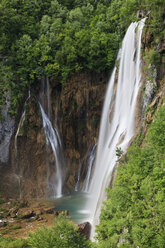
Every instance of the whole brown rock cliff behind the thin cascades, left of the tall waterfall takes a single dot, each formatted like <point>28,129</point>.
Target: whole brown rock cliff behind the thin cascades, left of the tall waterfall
<point>74,109</point>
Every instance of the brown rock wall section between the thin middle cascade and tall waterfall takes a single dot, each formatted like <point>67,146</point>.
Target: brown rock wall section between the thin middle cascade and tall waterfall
<point>81,104</point>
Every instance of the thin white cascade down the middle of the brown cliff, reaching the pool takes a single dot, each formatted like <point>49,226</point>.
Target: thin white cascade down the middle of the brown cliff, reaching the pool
<point>53,138</point>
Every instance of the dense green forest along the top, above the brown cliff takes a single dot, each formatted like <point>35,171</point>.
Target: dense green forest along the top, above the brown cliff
<point>58,38</point>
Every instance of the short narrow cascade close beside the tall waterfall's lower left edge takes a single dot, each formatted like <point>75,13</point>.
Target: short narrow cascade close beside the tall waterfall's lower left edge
<point>90,165</point>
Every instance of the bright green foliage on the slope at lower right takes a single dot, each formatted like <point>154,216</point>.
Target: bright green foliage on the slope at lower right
<point>134,213</point>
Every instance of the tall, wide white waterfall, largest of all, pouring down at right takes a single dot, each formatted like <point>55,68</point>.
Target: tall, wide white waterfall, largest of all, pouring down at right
<point>118,116</point>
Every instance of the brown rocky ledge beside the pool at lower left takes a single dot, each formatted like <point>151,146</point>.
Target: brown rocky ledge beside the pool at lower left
<point>20,217</point>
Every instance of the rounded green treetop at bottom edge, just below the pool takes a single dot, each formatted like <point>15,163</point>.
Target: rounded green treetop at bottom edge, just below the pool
<point>62,235</point>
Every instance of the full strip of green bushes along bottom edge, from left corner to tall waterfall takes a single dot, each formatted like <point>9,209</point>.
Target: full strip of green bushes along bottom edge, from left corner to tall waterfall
<point>63,234</point>
